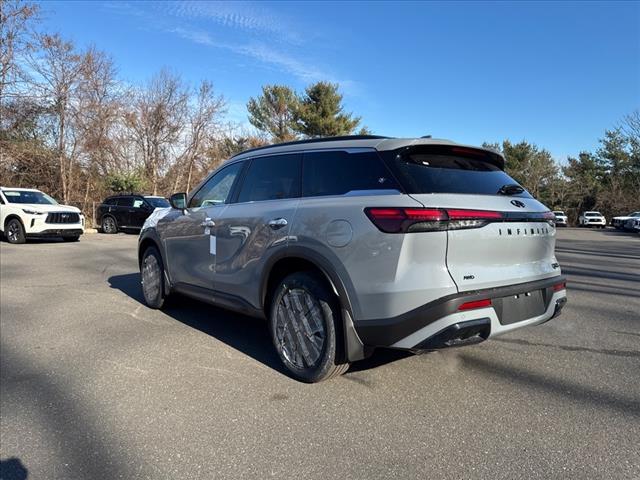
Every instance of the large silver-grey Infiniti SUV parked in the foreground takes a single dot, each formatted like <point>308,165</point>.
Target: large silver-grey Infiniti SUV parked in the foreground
<point>352,243</point>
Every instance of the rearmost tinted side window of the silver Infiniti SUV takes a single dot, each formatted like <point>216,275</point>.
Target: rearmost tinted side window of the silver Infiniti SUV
<point>337,173</point>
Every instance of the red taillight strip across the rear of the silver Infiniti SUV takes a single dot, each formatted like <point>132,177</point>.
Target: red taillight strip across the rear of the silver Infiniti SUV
<point>407,220</point>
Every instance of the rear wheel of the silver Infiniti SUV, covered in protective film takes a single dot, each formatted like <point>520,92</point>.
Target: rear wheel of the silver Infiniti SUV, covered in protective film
<point>306,328</point>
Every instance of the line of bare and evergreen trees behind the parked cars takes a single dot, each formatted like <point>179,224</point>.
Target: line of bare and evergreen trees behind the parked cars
<point>71,127</point>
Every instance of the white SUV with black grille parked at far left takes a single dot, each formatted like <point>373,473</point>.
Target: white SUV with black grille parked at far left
<point>27,212</point>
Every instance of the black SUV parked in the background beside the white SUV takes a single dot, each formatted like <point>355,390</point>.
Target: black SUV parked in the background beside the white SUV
<point>122,212</point>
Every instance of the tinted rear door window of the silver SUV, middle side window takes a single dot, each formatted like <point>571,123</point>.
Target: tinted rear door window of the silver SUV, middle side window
<point>271,178</point>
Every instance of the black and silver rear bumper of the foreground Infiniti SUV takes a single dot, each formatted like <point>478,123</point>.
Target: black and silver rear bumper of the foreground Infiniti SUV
<point>440,324</point>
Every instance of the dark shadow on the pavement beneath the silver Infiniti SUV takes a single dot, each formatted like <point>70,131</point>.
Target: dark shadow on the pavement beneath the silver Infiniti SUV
<point>246,334</point>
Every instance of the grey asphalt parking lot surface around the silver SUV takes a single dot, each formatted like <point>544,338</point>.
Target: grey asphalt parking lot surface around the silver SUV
<point>96,386</point>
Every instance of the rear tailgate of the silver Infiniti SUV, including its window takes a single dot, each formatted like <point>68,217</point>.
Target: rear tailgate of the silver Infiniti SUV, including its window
<point>512,239</point>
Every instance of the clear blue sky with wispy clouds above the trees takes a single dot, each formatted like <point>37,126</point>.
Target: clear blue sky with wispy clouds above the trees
<point>557,74</point>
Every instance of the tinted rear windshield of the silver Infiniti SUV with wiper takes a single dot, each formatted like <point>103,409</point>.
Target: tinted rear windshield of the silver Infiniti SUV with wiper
<point>445,169</point>
